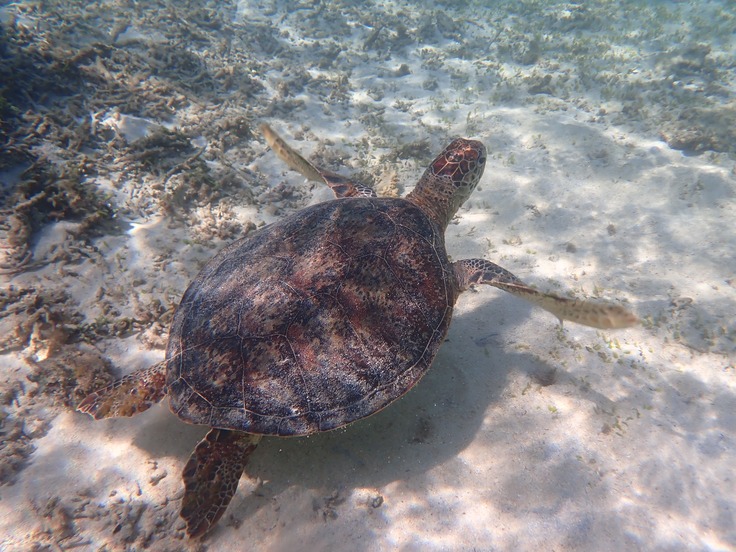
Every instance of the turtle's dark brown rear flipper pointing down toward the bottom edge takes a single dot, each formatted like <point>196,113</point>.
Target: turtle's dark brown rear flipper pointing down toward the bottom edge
<point>211,477</point>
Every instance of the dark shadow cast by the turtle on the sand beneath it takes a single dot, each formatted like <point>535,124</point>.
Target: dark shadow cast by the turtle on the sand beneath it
<point>427,427</point>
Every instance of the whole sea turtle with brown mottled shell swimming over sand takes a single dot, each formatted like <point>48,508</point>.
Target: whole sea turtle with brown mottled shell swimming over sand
<point>318,320</point>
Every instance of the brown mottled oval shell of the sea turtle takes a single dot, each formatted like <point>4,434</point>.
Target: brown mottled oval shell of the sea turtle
<point>313,322</point>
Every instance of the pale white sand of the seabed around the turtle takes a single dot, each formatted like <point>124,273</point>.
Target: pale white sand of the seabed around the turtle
<point>522,436</point>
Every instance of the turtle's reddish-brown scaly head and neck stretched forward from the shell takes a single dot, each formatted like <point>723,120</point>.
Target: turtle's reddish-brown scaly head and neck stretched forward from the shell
<point>449,180</point>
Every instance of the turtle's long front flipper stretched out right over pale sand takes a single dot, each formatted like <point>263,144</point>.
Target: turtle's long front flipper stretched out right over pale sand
<point>589,313</point>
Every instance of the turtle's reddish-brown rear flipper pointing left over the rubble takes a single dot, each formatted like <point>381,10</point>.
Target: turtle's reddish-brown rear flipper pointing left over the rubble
<point>128,396</point>
